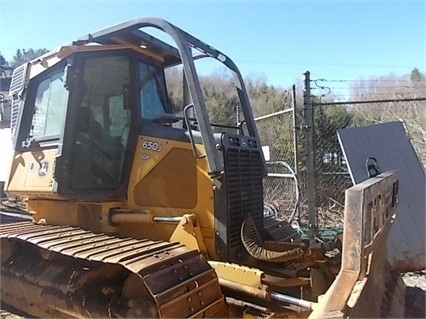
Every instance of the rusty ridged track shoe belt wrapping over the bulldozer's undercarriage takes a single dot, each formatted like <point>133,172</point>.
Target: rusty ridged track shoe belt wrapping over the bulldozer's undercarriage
<point>180,280</point>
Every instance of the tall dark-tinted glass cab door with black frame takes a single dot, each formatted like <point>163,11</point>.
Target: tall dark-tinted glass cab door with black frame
<point>97,142</point>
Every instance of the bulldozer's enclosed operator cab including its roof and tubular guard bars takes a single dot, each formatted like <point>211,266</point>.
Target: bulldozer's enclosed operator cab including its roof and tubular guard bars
<point>80,108</point>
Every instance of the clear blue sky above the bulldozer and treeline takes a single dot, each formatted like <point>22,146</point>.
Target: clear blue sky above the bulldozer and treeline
<point>277,40</point>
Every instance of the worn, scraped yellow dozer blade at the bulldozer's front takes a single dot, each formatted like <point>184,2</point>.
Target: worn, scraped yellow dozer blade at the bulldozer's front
<point>370,208</point>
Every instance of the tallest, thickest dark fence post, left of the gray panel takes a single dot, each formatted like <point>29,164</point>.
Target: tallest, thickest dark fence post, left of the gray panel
<point>310,157</point>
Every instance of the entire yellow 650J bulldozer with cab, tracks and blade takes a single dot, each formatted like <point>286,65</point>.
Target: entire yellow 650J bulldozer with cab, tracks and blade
<point>139,211</point>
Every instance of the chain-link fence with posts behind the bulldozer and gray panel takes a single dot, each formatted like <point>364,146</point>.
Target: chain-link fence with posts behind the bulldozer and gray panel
<point>292,189</point>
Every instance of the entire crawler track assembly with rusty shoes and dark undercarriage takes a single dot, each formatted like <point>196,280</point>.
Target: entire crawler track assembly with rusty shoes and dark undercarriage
<point>58,271</point>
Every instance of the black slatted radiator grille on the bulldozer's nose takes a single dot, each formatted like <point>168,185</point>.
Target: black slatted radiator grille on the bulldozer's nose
<point>243,171</point>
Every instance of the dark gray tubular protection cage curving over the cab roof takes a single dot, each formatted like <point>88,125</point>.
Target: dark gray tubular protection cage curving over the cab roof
<point>128,32</point>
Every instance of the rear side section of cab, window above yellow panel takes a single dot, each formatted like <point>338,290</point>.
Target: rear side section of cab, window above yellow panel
<point>39,133</point>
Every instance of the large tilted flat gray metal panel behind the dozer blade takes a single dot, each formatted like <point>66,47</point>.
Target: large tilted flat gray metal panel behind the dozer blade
<point>389,144</point>
